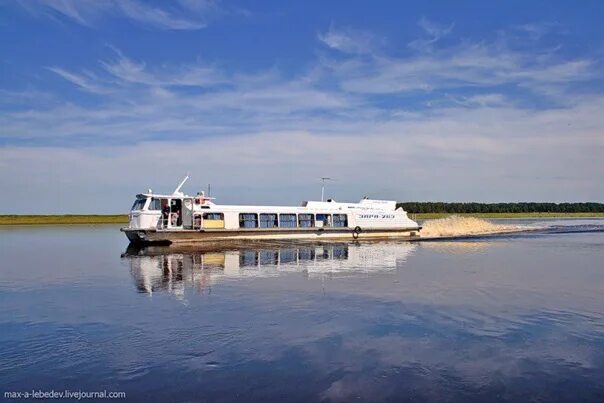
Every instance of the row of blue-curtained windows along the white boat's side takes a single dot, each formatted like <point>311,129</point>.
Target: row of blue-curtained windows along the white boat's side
<point>271,220</point>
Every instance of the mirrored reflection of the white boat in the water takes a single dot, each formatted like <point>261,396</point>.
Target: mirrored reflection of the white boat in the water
<point>166,268</point>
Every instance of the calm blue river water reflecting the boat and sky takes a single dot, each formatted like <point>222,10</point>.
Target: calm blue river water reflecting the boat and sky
<point>499,318</point>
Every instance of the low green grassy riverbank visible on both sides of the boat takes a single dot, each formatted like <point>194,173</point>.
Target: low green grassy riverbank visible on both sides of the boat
<point>123,218</point>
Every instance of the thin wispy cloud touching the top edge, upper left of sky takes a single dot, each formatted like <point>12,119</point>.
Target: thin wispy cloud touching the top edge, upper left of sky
<point>178,15</point>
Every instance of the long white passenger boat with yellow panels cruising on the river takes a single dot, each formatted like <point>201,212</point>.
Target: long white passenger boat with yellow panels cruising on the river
<point>179,218</point>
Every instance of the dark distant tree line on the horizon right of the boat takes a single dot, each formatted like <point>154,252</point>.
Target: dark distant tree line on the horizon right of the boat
<point>528,207</point>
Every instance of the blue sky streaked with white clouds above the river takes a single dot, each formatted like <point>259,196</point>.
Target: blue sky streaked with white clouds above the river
<point>496,101</point>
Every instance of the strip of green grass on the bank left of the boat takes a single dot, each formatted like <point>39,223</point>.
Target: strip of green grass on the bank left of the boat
<point>63,219</point>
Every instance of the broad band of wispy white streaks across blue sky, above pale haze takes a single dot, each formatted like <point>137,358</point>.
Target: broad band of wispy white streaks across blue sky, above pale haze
<point>337,94</point>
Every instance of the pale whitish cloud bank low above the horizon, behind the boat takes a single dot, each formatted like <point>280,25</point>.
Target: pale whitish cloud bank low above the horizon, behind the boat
<point>460,153</point>
